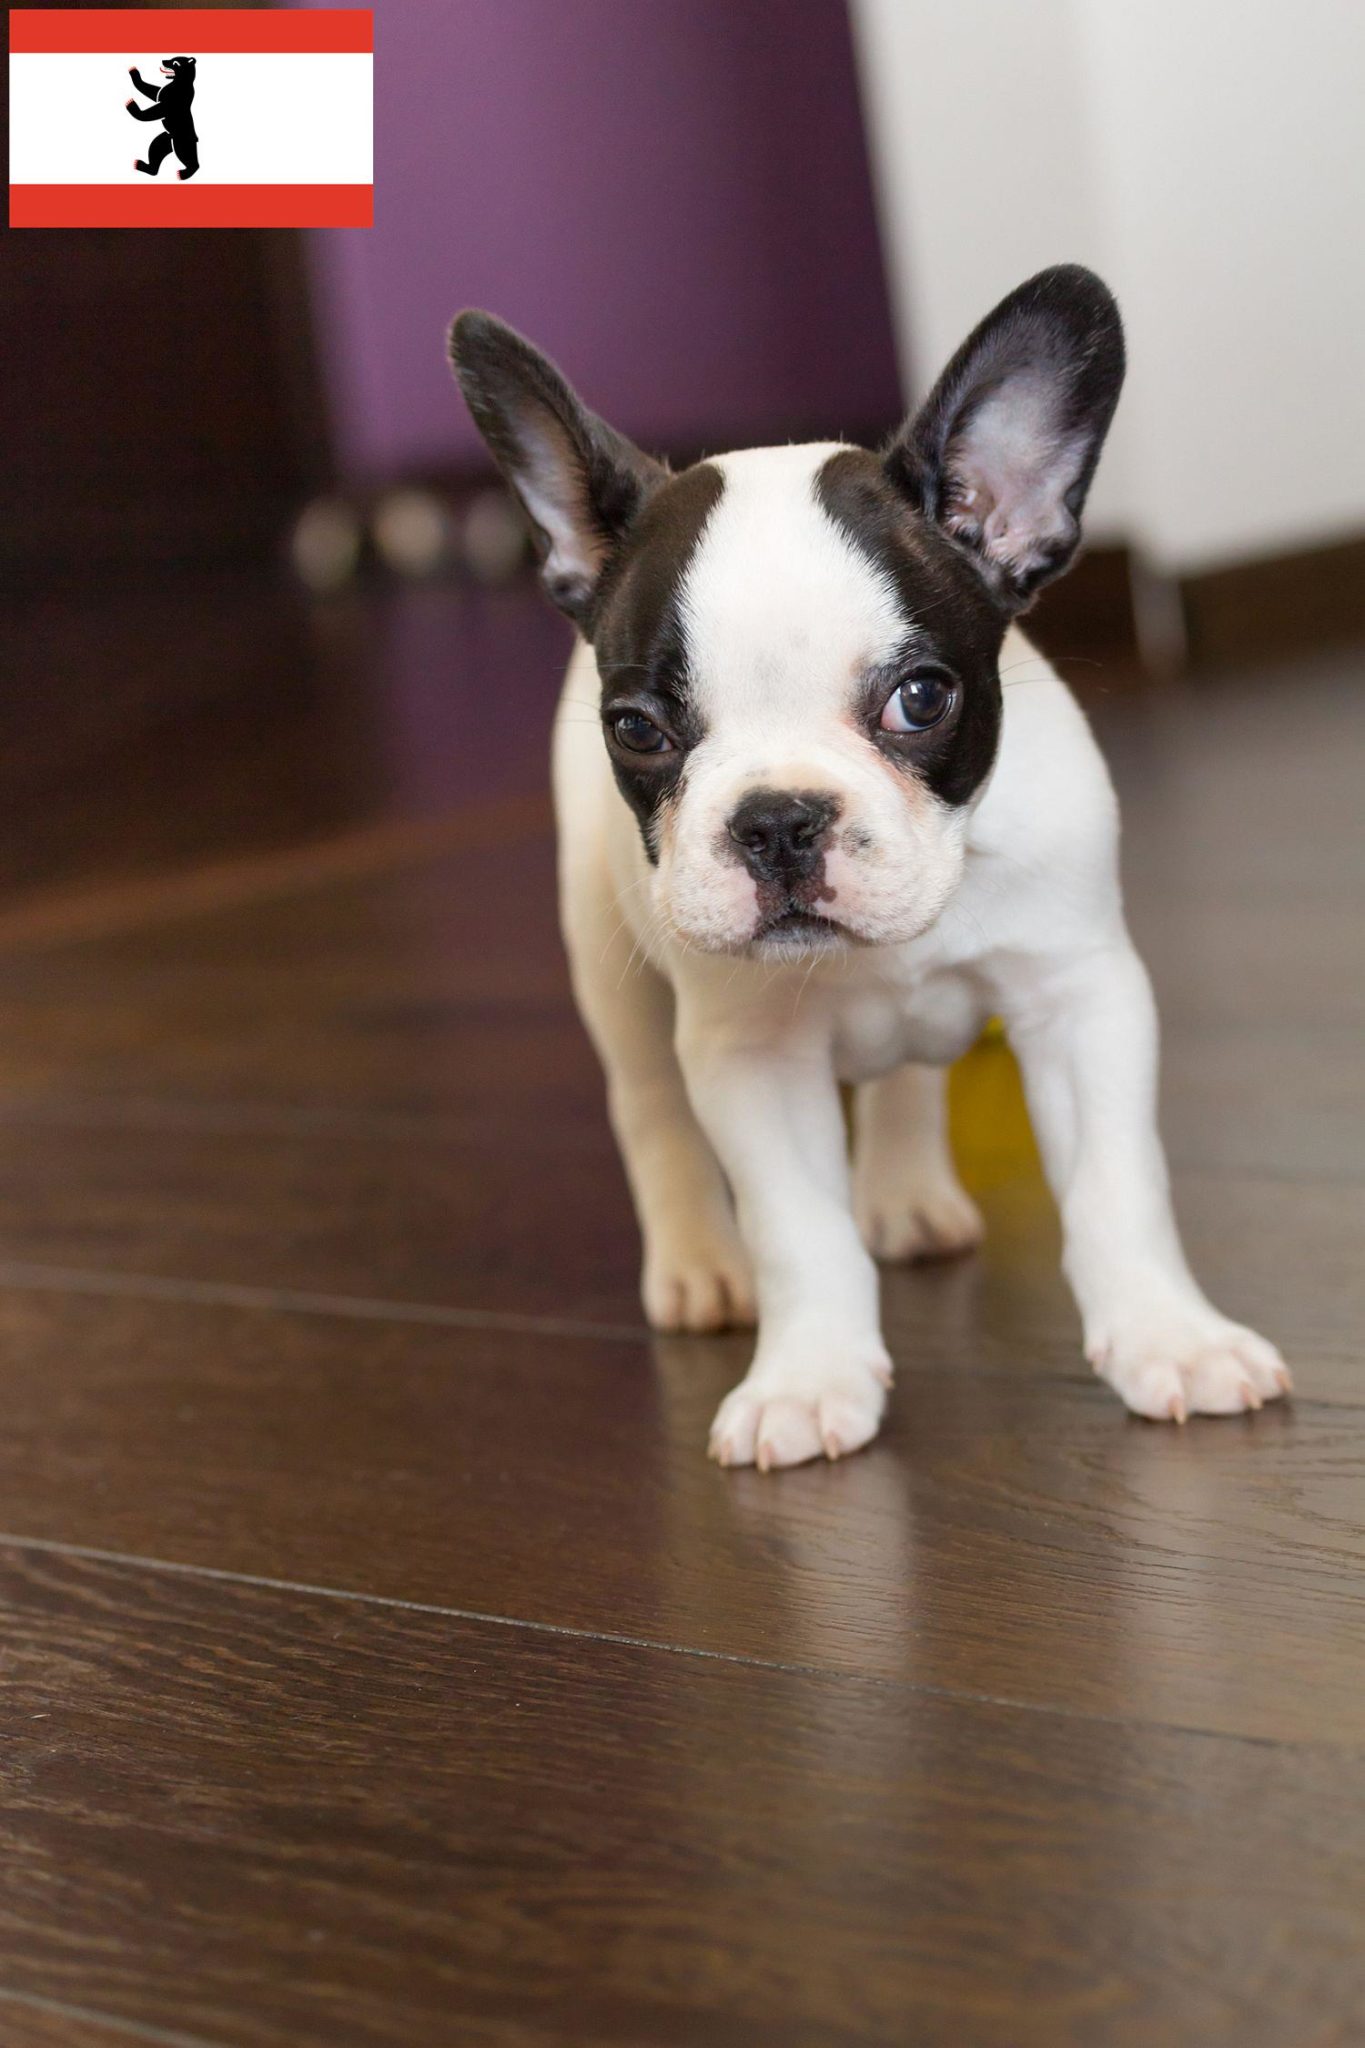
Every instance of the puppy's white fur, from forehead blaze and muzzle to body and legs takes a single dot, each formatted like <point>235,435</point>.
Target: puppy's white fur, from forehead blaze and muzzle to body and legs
<point>723,1068</point>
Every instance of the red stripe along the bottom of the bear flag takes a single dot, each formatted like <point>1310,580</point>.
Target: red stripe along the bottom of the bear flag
<point>191,206</point>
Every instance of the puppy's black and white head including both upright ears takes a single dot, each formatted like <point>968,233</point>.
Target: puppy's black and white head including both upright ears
<point>799,646</point>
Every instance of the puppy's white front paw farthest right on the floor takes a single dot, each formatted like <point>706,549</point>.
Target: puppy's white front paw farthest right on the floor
<point>1200,1367</point>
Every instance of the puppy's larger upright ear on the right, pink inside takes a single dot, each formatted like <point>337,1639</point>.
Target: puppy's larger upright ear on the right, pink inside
<point>1004,452</point>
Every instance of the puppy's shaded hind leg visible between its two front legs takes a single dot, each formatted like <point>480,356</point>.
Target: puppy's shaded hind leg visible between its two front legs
<point>908,1197</point>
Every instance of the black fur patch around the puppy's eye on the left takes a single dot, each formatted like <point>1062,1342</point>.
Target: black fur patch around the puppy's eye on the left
<point>635,628</point>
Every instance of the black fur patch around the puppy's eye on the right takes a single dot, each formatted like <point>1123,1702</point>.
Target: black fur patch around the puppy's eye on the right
<point>951,624</point>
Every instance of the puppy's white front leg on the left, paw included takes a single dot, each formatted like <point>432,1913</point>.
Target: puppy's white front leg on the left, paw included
<point>820,1377</point>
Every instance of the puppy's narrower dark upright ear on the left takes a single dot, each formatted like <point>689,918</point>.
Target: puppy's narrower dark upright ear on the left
<point>580,482</point>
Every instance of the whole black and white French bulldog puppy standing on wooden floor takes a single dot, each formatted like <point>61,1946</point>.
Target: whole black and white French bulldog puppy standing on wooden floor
<point>807,839</point>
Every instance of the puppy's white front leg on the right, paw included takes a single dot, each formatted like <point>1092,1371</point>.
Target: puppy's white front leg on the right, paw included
<point>1088,1046</point>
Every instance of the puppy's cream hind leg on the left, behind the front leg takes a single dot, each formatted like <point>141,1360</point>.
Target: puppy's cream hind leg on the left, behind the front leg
<point>697,1273</point>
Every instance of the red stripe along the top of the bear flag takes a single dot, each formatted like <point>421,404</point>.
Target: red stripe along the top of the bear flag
<point>193,30</point>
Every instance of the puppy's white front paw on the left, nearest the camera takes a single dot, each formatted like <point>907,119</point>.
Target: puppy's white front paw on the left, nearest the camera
<point>787,1414</point>
